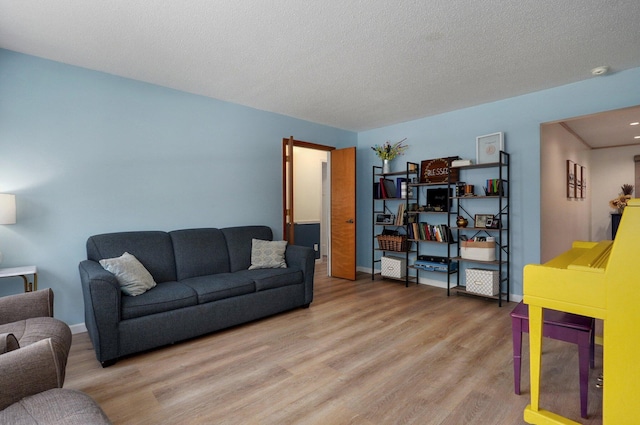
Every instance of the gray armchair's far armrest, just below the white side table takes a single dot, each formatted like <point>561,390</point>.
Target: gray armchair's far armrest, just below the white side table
<point>26,306</point>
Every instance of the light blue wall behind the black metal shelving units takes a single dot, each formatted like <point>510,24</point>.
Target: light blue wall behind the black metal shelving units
<point>519,118</point>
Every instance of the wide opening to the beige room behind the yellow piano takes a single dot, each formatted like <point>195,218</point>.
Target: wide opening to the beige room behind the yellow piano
<point>604,145</point>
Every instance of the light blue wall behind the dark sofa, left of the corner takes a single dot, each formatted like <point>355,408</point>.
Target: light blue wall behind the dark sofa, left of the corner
<point>87,152</point>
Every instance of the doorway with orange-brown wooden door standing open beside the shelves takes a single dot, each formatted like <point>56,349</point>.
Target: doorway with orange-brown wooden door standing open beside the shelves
<point>319,193</point>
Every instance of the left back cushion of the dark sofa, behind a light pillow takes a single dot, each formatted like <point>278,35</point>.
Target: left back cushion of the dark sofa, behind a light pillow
<point>153,249</point>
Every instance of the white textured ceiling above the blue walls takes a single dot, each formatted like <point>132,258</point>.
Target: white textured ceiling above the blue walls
<point>354,65</point>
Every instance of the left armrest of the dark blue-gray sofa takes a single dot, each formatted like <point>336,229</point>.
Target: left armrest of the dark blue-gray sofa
<point>102,308</point>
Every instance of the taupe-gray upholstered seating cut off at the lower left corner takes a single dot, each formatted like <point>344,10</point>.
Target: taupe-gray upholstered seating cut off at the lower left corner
<point>33,356</point>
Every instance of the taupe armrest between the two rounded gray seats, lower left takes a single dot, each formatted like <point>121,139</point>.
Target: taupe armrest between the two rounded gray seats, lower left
<point>28,370</point>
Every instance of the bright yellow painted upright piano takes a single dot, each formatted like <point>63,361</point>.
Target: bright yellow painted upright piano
<point>601,280</point>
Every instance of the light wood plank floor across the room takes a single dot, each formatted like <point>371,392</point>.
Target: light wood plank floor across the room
<point>364,353</point>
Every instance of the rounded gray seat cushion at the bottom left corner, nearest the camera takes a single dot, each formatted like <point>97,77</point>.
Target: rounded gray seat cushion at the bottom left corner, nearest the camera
<point>55,406</point>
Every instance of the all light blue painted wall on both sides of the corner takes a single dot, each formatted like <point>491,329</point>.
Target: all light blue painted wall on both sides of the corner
<point>87,152</point>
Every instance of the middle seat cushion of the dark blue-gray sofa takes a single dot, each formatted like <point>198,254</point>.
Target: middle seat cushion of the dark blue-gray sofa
<point>219,286</point>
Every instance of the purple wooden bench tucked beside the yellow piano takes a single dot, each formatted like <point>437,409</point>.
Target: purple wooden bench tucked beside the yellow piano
<point>562,326</point>
